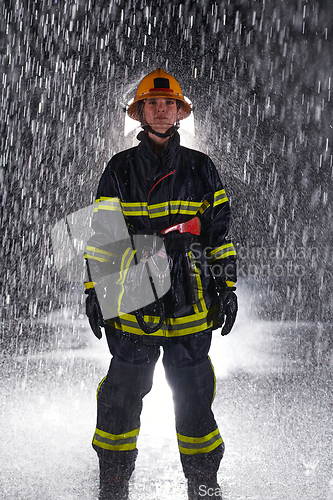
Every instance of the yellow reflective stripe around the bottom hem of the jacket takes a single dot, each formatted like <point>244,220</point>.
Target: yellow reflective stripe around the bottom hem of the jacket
<point>172,327</point>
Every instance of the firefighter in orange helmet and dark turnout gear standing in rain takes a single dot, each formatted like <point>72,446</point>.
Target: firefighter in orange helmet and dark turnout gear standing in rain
<point>173,193</point>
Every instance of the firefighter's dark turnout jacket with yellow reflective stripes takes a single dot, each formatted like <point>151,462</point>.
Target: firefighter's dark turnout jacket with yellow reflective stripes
<point>154,193</point>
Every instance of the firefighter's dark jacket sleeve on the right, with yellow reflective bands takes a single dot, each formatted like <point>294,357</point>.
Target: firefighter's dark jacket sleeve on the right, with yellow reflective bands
<point>219,250</point>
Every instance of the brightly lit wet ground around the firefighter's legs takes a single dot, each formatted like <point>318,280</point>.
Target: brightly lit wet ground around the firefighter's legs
<point>273,405</point>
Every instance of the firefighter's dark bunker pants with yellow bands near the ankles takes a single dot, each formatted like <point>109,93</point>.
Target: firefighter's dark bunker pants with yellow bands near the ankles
<point>119,403</point>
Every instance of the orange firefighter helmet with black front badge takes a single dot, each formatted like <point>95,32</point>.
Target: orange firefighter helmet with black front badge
<point>159,84</point>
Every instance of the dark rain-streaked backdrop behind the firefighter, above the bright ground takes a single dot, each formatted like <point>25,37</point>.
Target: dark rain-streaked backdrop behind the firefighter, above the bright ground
<point>259,76</point>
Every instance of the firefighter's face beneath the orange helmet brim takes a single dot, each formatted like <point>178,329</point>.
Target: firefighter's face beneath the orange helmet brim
<point>160,113</point>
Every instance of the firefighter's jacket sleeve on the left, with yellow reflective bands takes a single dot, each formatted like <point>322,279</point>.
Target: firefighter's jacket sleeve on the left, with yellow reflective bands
<point>109,250</point>
